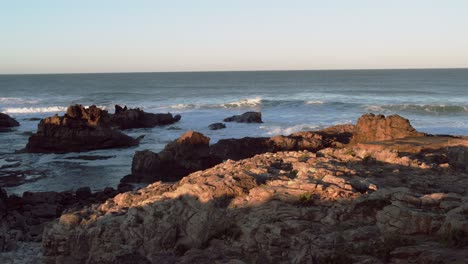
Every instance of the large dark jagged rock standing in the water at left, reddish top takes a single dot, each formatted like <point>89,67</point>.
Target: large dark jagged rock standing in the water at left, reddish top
<point>80,129</point>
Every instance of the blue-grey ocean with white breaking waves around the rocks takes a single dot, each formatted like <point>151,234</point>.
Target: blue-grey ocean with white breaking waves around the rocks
<point>434,100</point>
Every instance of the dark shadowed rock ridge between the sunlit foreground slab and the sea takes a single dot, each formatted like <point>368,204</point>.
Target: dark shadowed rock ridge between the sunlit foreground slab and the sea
<point>179,159</point>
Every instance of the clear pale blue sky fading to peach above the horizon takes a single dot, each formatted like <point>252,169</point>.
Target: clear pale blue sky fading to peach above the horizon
<point>46,36</point>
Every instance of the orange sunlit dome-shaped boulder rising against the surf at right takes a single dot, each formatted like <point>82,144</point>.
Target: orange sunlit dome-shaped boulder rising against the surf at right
<point>370,127</point>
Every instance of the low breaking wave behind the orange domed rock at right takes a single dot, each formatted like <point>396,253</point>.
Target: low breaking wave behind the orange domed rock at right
<point>419,108</point>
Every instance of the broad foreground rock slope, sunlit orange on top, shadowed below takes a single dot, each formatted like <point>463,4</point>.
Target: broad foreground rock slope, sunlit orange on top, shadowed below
<point>334,206</point>
